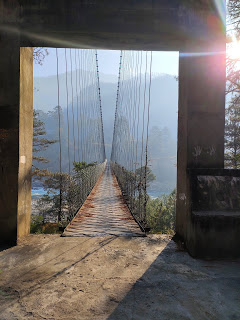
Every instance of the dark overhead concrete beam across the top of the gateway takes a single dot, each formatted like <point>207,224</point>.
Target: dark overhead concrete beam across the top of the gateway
<point>108,24</point>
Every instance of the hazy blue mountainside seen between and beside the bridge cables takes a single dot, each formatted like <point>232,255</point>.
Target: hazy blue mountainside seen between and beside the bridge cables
<point>163,121</point>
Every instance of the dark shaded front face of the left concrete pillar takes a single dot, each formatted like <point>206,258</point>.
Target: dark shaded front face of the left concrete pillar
<point>9,137</point>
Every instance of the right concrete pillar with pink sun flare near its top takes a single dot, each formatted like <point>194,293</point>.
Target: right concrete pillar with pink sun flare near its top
<point>201,119</point>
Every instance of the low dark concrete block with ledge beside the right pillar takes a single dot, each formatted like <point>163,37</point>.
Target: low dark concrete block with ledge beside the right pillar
<point>215,213</point>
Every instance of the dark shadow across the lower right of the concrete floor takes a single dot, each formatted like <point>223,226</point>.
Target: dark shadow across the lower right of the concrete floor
<point>177,286</point>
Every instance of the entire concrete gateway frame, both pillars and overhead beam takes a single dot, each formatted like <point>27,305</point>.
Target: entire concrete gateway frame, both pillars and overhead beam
<point>185,26</point>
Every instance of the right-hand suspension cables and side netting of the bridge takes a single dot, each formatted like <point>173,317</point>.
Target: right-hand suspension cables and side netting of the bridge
<point>129,156</point>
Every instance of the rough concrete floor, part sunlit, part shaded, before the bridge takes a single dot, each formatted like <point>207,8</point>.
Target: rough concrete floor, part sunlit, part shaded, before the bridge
<point>51,277</point>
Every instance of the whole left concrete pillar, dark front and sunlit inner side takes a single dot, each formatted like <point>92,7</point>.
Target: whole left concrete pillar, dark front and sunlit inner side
<point>16,92</point>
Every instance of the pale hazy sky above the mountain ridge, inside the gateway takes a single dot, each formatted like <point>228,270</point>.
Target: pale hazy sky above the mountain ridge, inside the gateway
<point>163,62</point>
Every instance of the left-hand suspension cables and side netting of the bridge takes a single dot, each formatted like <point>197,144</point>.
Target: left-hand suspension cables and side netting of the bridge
<point>82,149</point>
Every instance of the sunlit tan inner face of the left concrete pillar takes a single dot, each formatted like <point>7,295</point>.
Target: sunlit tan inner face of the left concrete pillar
<point>25,141</point>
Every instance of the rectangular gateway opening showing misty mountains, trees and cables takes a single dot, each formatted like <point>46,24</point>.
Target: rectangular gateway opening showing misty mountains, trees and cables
<point>144,116</point>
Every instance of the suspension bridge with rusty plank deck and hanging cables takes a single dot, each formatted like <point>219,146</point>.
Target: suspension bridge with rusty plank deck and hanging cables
<point>96,196</point>
